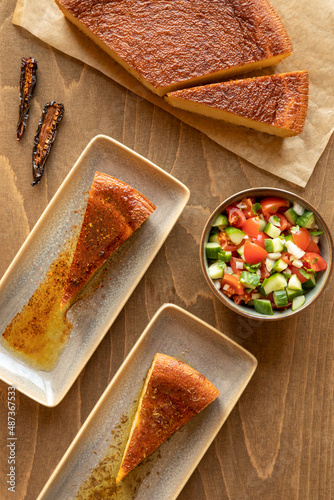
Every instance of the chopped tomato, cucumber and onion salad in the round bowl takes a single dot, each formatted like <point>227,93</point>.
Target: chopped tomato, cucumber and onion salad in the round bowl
<point>265,253</point>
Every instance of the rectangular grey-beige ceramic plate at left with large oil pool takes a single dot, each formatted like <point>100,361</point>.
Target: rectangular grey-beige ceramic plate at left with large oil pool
<point>129,265</point>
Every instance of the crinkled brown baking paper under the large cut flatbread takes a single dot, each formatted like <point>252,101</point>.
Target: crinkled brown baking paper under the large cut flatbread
<point>310,24</point>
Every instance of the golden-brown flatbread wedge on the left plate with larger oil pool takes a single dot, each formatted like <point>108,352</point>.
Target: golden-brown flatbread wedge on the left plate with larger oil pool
<point>114,212</point>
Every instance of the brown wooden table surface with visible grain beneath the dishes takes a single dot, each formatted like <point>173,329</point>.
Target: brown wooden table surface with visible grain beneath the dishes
<point>278,442</point>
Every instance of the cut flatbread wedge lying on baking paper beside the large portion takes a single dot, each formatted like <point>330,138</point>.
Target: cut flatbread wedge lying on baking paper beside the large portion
<point>275,104</point>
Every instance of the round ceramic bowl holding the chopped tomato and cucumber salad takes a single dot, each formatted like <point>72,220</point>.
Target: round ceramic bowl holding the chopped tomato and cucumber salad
<point>326,247</point>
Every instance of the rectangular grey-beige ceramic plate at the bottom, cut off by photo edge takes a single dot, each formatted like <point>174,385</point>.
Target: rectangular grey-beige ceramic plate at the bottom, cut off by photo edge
<point>178,333</point>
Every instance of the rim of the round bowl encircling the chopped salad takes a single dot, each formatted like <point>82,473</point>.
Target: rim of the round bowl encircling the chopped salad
<point>264,191</point>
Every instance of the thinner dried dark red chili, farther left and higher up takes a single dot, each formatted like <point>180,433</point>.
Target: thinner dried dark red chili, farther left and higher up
<point>28,80</point>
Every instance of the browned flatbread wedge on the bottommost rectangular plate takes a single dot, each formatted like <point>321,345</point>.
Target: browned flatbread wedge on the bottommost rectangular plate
<point>173,394</point>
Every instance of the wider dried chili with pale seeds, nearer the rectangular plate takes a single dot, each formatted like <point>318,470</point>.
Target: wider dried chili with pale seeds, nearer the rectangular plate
<point>52,115</point>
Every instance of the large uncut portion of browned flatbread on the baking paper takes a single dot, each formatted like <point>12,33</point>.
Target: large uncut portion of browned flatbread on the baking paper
<point>173,45</point>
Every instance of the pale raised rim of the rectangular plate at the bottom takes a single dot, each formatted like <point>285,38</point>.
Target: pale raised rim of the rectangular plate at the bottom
<point>131,354</point>
